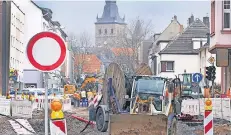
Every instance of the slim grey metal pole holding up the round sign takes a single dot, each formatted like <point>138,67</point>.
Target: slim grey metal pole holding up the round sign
<point>46,102</point>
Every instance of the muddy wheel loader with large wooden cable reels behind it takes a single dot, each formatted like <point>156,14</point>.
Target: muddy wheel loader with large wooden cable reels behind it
<point>143,104</point>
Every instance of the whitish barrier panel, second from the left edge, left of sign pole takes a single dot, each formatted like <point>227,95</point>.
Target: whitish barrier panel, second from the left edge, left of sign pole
<point>22,109</point>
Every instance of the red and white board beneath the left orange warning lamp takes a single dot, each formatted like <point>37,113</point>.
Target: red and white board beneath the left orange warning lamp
<point>58,127</point>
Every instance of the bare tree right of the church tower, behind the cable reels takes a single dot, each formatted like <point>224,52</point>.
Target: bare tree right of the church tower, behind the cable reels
<point>135,33</point>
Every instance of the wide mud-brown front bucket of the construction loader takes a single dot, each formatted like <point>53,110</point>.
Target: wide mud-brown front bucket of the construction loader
<point>133,124</point>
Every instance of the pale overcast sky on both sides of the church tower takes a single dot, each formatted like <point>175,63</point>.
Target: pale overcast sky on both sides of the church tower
<point>79,16</point>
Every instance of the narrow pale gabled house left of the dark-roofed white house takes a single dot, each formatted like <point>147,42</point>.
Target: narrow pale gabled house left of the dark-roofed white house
<point>160,42</point>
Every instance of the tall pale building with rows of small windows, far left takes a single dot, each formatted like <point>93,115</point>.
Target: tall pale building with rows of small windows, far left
<point>17,45</point>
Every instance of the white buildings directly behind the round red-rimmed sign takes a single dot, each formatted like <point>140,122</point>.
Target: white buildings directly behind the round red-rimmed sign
<point>41,22</point>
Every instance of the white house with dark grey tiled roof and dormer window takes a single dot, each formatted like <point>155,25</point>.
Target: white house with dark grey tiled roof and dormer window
<point>181,54</point>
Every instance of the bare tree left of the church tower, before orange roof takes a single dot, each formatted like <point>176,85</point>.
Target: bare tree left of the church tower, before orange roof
<point>80,45</point>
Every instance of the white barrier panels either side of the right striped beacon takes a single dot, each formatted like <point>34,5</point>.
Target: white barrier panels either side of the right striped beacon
<point>221,107</point>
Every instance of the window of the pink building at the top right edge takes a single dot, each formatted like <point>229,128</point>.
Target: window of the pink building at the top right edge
<point>226,20</point>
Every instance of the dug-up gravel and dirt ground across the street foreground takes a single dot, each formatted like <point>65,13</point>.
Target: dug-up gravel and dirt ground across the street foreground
<point>74,126</point>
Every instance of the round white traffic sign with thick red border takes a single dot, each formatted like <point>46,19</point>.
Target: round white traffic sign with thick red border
<point>46,51</point>
